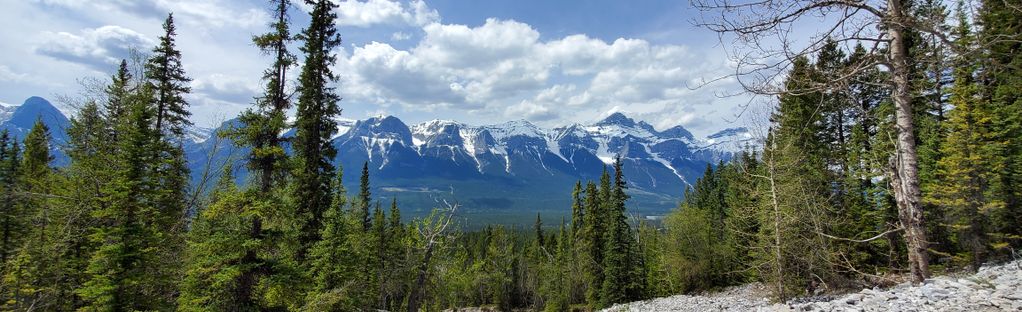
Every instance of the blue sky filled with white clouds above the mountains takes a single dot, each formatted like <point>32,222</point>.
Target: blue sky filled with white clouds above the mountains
<point>551,63</point>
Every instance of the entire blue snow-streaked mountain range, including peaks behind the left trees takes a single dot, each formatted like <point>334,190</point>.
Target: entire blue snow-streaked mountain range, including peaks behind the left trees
<point>498,172</point>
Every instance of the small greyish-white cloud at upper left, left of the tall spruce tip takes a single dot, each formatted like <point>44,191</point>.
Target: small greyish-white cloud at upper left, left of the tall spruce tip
<point>98,49</point>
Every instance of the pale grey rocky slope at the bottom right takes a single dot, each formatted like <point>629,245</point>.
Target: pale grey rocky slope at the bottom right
<point>993,289</point>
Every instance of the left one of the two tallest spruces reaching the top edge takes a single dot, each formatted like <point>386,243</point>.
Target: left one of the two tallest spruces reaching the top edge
<point>261,129</point>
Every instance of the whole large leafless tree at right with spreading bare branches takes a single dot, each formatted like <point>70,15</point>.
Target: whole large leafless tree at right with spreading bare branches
<point>768,36</point>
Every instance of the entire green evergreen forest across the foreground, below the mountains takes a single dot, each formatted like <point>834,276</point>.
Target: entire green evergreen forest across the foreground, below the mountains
<point>814,209</point>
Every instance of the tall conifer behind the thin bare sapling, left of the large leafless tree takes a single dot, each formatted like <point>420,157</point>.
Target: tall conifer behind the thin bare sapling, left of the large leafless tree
<point>797,157</point>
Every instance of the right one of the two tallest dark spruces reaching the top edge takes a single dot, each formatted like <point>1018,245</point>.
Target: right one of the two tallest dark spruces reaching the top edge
<point>315,123</point>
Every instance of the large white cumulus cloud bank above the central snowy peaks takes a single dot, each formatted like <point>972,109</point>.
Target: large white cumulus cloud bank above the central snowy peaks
<point>502,68</point>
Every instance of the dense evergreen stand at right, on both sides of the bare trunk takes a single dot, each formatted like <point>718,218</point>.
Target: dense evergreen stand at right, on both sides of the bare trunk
<point>815,210</point>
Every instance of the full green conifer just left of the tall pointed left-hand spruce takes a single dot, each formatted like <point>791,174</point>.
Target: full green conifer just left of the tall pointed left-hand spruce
<point>121,272</point>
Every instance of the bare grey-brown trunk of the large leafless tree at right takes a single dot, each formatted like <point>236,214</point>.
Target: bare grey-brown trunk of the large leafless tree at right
<point>905,179</point>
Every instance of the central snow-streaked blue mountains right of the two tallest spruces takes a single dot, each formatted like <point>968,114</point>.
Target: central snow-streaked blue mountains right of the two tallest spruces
<point>514,160</point>
